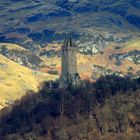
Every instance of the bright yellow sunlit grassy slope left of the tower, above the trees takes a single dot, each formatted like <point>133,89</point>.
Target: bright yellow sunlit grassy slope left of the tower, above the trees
<point>15,80</point>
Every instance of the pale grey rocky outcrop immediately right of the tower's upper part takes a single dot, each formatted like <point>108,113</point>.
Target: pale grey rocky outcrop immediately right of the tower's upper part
<point>95,43</point>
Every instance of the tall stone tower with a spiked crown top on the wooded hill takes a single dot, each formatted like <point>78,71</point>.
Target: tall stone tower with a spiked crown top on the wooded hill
<point>69,75</point>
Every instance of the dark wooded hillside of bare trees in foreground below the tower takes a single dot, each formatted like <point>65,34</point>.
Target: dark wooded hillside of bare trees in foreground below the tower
<point>107,109</point>
